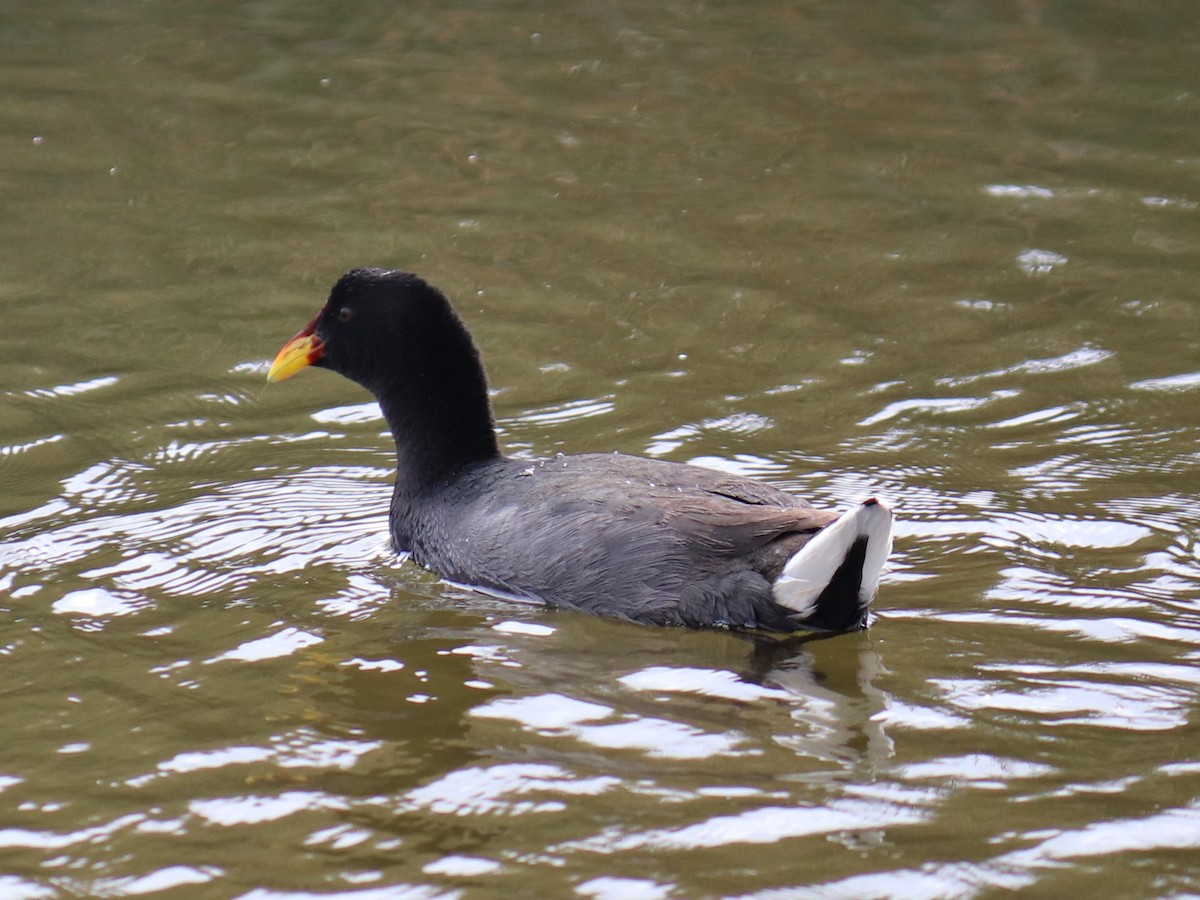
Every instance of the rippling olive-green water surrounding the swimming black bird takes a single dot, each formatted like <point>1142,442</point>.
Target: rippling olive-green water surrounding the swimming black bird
<point>940,254</point>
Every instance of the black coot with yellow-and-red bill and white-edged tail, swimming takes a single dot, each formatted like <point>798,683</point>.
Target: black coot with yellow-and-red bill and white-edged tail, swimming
<point>649,541</point>
